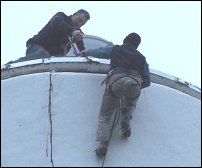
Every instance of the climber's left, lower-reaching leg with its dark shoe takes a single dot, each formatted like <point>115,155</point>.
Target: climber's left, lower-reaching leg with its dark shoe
<point>111,100</point>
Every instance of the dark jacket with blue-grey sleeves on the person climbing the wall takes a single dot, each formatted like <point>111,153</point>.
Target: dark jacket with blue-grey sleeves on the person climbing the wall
<point>124,57</point>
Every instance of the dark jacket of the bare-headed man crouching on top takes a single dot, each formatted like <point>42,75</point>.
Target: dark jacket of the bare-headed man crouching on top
<point>55,34</point>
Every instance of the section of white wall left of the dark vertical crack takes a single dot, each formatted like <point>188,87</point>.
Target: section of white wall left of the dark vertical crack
<point>24,121</point>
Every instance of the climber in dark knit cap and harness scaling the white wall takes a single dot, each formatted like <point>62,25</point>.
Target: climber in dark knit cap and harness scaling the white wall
<point>129,74</point>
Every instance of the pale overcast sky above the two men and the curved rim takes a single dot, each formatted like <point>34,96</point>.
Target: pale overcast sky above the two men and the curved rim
<point>170,31</point>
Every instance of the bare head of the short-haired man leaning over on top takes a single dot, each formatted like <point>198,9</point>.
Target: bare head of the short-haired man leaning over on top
<point>80,17</point>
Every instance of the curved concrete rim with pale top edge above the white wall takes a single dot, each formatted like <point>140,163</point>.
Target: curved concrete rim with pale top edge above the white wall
<point>91,65</point>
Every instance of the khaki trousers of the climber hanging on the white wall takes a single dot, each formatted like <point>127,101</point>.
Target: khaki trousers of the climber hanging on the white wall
<point>120,87</point>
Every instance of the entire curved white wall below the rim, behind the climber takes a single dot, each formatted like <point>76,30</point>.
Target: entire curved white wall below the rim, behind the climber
<point>166,126</point>
